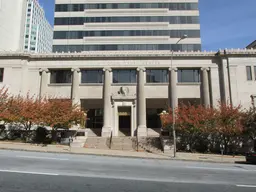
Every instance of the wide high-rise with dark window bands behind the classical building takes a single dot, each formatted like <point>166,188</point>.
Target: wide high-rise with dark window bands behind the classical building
<point>99,25</point>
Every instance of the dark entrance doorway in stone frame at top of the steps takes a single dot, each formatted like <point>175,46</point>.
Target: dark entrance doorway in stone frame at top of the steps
<point>124,119</point>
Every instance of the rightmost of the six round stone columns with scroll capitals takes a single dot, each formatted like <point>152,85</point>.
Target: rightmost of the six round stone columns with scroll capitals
<point>205,87</point>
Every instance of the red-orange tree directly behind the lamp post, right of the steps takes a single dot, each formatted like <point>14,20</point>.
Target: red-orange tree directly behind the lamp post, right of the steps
<point>193,125</point>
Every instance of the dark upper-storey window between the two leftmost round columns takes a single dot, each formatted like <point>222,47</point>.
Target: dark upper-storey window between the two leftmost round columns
<point>61,76</point>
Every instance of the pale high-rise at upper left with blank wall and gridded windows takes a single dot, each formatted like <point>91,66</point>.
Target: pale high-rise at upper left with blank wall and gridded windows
<point>23,27</point>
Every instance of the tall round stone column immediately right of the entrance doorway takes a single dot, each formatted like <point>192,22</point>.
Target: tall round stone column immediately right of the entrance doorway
<point>141,102</point>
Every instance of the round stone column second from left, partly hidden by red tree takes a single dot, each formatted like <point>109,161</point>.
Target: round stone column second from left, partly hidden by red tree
<point>75,87</point>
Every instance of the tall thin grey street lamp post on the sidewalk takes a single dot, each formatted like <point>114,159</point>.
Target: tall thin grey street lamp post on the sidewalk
<point>172,103</point>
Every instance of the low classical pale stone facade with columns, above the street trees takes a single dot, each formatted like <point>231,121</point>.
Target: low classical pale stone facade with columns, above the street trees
<point>127,90</point>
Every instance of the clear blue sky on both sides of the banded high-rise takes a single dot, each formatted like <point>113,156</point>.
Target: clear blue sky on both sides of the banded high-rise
<point>224,23</point>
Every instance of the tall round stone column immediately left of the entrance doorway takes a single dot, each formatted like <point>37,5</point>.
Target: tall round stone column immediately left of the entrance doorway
<point>107,118</point>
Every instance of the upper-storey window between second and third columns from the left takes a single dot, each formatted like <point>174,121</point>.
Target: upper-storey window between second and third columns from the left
<point>92,76</point>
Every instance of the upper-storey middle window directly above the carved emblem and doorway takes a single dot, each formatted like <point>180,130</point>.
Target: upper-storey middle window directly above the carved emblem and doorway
<point>124,76</point>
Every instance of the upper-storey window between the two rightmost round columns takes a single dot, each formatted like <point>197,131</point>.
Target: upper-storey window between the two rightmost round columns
<point>188,75</point>
